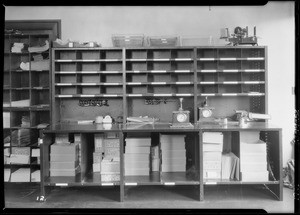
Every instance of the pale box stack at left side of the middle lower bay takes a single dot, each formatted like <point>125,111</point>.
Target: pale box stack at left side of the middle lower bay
<point>137,156</point>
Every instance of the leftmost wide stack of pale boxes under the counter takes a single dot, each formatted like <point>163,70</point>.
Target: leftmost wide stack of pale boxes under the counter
<point>64,159</point>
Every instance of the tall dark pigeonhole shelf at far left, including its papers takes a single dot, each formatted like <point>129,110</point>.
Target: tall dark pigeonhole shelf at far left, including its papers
<point>26,90</point>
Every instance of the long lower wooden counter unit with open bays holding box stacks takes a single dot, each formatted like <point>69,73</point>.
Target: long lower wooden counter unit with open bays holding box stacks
<point>157,155</point>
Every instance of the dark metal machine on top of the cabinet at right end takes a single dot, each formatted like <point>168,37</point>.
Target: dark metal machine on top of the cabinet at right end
<point>240,36</point>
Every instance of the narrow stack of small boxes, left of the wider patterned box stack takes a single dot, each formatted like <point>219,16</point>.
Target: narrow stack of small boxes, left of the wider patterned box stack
<point>98,152</point>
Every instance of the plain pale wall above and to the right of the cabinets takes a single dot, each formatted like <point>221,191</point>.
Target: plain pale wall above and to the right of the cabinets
<point>274,23</point>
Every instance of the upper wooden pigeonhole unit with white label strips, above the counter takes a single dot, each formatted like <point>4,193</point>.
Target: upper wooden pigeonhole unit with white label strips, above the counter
<point>233,78</point>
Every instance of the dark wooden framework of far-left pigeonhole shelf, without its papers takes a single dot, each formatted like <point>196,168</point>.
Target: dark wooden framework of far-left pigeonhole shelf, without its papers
<point>32,85</point>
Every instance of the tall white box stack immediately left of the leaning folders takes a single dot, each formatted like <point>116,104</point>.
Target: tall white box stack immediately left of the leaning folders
<point>212,154</point>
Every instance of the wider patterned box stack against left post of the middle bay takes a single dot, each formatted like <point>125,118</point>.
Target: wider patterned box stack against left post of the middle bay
<point>110,164</point>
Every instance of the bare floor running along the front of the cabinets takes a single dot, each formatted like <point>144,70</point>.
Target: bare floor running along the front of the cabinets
<point>160,197</point>
